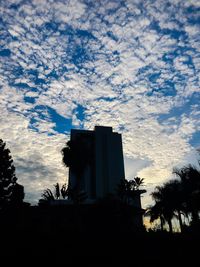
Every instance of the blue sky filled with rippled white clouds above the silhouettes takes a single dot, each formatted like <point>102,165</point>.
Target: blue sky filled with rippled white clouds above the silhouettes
<point>130,64</point>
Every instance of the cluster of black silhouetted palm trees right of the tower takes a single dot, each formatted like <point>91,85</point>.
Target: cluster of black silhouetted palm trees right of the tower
<point>178,198</point>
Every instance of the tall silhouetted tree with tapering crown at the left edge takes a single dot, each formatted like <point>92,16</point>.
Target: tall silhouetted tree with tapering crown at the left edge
<point>11,193</point>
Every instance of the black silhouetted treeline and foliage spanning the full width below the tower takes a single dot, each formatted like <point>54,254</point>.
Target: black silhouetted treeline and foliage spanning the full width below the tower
<point>102,234</point>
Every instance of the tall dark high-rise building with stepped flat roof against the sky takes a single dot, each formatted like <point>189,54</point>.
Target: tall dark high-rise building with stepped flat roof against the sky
<point>104,163</point>
